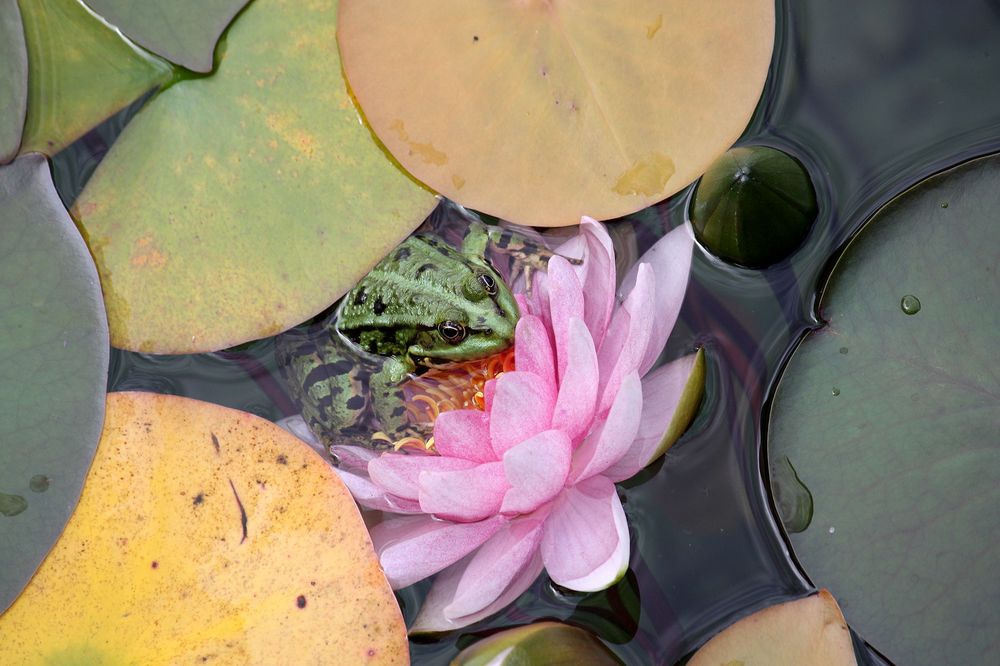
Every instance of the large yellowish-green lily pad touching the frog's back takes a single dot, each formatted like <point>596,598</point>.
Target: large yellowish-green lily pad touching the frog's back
<point>235,206</point>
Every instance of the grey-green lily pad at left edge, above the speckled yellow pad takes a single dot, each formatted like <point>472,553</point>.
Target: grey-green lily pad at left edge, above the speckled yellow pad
<point>54,355</point>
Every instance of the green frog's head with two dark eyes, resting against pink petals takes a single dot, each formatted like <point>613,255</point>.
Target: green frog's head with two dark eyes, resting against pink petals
<point>478,321</point>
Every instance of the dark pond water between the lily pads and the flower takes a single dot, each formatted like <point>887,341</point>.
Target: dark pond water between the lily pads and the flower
<point>871,98</point>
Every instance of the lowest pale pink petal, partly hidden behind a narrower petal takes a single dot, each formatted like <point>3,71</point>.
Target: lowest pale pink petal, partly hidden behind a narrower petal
<point>432,617</point>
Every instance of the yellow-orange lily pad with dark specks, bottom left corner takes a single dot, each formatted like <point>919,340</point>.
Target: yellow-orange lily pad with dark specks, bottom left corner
<point>206,534</point>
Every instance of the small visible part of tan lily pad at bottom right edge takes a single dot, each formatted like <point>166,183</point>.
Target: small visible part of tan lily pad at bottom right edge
<point>805,632</point>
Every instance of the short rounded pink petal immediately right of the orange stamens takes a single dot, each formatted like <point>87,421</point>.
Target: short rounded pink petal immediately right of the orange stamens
<point>522,408</point>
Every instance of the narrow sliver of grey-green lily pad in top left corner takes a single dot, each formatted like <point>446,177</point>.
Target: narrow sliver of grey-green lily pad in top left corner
<point>13,79</point>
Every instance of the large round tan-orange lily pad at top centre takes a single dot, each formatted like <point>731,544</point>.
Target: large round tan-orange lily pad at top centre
<point>540,111</point>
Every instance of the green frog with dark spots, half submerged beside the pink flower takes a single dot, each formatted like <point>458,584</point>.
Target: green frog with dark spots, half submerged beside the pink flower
<point>424,304</point>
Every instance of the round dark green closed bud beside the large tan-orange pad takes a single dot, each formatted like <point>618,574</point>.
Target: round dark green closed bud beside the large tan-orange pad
<point>754,206</point>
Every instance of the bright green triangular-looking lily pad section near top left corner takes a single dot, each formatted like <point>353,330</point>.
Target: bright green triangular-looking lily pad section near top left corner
<point>81,72</point>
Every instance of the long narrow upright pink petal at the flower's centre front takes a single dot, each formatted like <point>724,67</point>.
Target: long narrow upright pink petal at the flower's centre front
<point>574,410</point>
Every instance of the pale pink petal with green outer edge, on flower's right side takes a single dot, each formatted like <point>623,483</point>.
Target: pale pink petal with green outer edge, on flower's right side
<point>661,392</point>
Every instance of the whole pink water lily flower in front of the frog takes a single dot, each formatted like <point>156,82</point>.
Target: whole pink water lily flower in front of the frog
<point>528,483</point>
